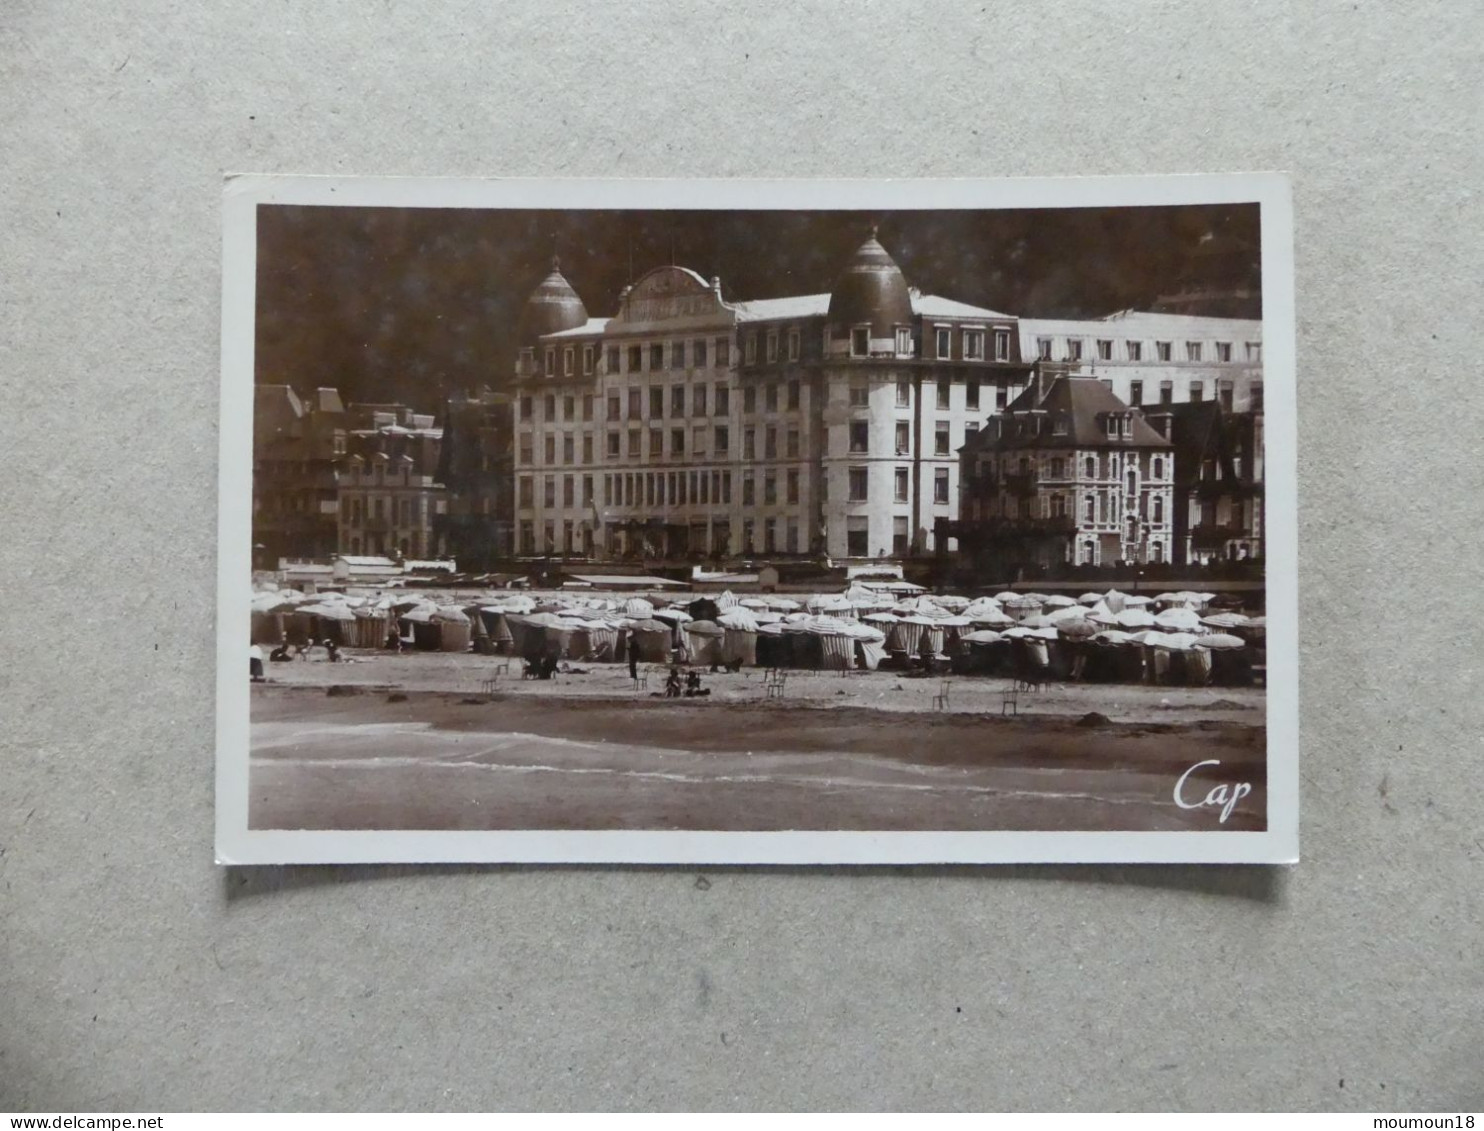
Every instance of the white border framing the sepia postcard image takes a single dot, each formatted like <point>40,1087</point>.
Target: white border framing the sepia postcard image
<point>237,844</point>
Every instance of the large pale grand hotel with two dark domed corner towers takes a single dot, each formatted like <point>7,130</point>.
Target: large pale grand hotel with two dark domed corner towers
<point>689,425</point>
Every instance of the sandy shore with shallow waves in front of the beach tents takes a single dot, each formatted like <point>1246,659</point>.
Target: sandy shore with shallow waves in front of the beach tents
<point>424,741</point>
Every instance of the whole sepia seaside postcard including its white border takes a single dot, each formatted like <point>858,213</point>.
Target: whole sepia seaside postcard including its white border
<point>758,522</point>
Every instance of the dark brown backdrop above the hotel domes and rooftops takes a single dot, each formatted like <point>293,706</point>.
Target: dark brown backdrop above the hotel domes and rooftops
<point>410,305</point>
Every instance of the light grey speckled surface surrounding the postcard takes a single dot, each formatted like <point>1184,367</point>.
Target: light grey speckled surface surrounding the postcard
<point>134,974</point>
